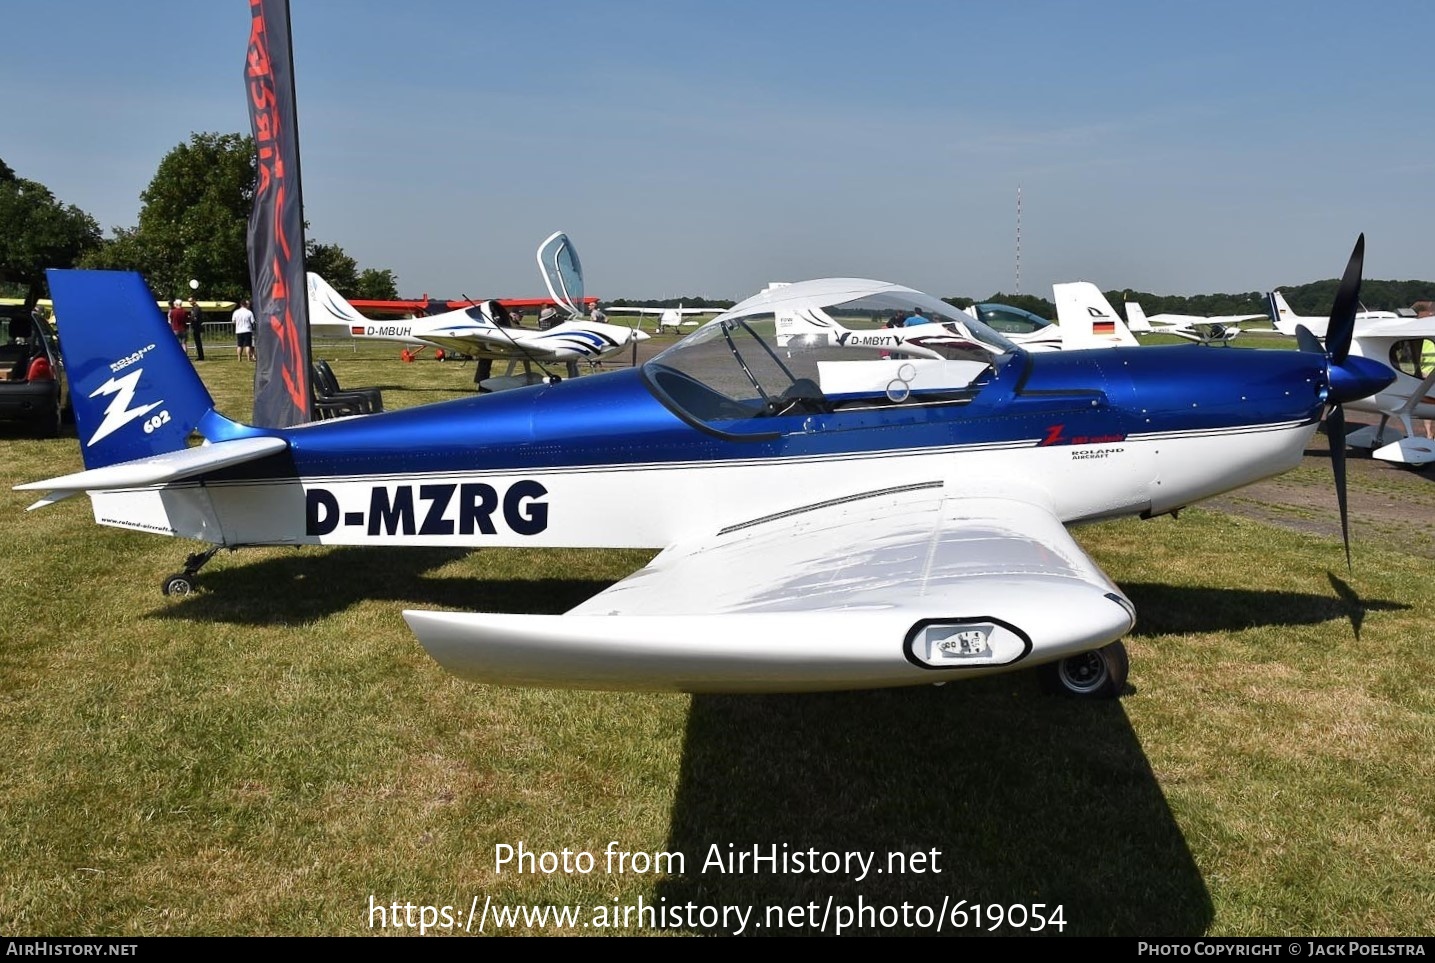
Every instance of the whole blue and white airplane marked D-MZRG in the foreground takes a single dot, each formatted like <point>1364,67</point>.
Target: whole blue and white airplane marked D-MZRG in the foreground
<point>826,520</point>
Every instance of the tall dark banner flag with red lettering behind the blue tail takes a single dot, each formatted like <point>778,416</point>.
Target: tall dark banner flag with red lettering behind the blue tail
<point>282,387</point>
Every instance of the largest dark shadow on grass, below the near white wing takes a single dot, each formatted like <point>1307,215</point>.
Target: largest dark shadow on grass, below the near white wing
<point>1025,799</point>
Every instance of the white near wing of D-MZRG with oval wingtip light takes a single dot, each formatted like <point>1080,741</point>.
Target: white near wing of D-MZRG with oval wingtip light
<point>883,589</point>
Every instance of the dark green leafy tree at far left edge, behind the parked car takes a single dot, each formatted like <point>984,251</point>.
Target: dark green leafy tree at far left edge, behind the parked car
<point>39,233</point>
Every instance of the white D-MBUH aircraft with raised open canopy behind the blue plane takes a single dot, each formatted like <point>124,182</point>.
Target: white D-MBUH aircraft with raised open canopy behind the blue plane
<point>484,332</point>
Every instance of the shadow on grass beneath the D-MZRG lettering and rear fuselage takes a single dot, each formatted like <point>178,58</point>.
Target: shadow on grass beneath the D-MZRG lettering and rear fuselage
<point>308,586</point>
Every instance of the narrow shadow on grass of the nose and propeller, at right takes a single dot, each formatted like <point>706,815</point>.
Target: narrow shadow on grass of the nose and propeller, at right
<point>1180,609</point>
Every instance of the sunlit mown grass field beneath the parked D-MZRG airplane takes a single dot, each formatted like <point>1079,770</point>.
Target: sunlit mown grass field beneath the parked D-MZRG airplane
<point>276,754</point>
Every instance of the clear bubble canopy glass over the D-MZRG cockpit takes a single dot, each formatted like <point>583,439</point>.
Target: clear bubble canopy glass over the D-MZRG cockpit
<point>804,357</point>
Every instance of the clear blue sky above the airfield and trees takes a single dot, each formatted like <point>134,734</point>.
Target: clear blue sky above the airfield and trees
<point>710,149</point>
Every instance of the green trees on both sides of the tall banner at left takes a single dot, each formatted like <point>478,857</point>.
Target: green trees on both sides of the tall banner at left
<point>193,225</point>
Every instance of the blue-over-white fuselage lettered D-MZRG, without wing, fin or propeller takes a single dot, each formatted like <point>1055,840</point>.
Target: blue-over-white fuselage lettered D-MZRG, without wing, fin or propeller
<point>603,461</point>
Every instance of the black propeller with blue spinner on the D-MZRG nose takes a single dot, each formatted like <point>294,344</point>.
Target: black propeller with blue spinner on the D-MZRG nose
<point>1347,378</point>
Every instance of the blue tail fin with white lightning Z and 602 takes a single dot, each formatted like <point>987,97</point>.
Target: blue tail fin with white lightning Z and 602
<point>133,387</point>
